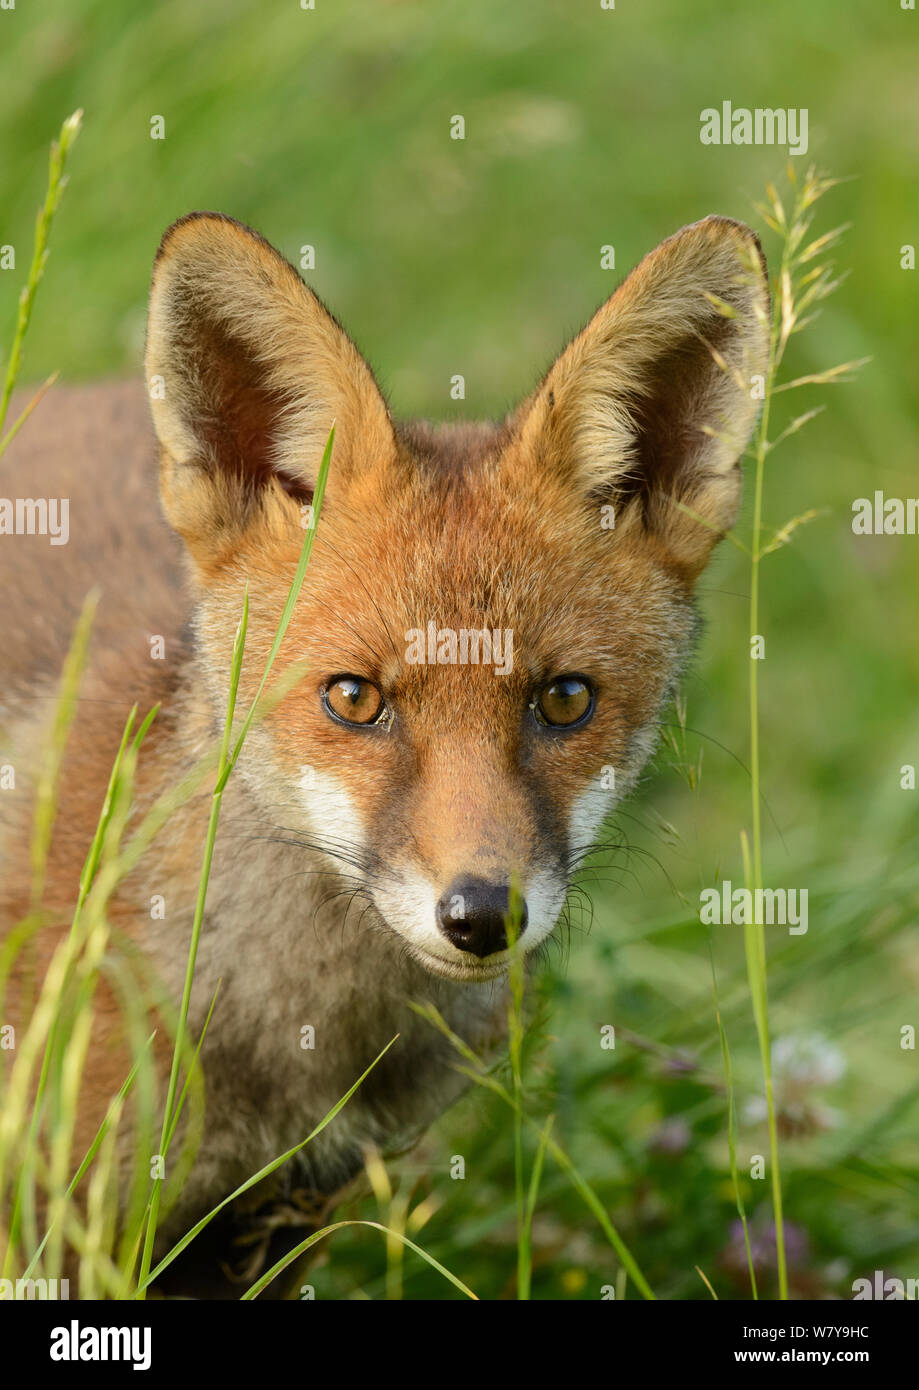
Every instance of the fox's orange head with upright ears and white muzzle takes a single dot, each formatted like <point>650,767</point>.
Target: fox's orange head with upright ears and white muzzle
<point>493,615</point>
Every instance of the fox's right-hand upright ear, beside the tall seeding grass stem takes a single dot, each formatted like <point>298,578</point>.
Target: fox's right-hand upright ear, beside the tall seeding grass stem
<point>653,405</point>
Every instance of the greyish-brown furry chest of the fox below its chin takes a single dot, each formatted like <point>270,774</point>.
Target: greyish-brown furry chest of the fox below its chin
<point>308,1000</point>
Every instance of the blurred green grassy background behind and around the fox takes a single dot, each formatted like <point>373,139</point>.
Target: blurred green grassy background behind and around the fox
<point>332,129</point>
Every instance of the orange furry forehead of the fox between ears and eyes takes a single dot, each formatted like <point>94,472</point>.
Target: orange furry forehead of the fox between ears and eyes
<point>466,540</point>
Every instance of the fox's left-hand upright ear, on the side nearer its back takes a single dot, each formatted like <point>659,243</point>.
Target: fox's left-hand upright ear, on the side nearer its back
<point>247,372</point>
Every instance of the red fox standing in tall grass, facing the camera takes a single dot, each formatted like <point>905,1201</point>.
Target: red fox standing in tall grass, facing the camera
<point>490,625</point>
